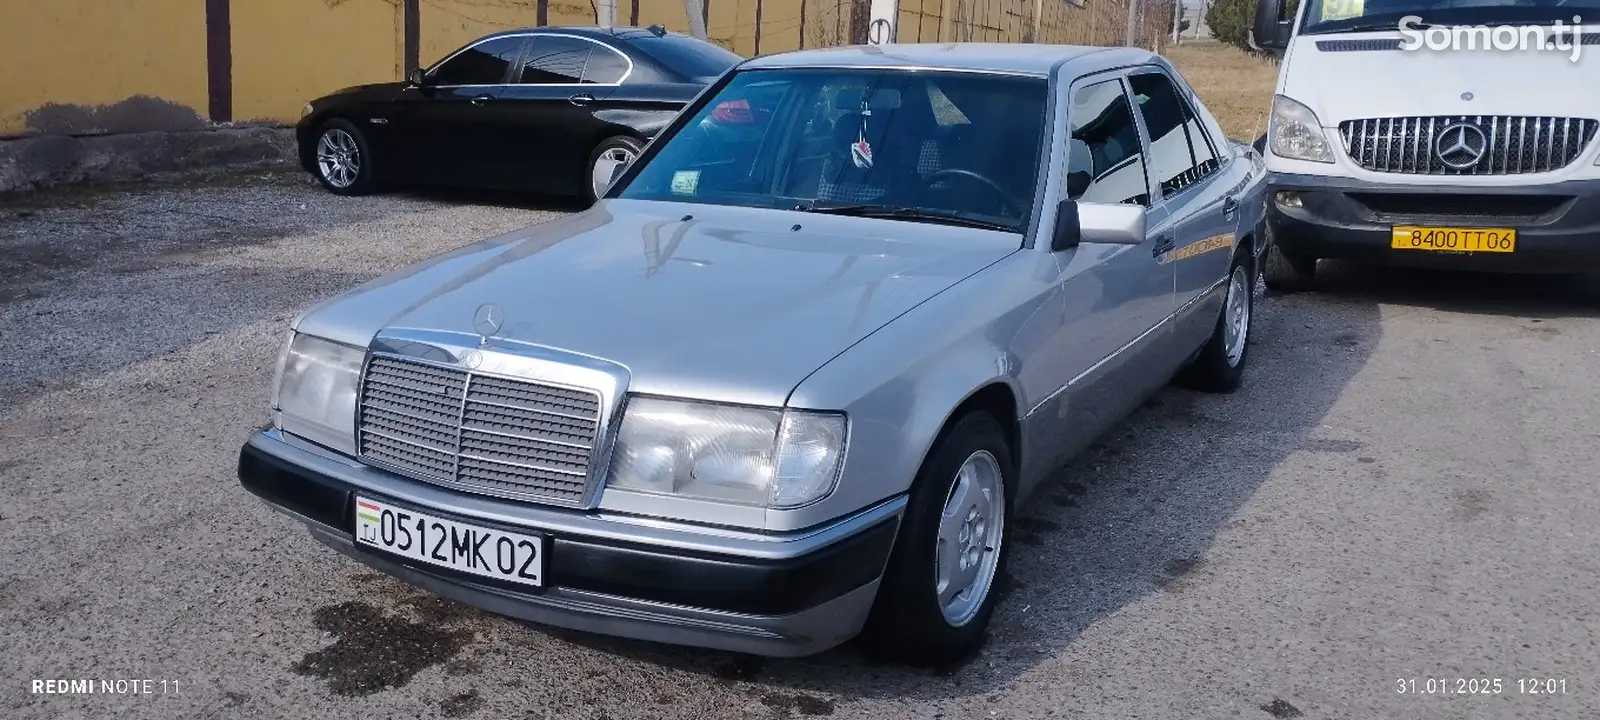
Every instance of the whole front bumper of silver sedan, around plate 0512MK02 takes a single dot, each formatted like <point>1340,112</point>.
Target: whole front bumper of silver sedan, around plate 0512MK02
<point>649,580</point>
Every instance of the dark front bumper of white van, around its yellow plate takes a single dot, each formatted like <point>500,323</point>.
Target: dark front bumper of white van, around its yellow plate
<point>1558,225</point>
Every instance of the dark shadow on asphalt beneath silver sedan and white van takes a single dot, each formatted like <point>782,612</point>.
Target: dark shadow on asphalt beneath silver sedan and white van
<point>1137,514</point>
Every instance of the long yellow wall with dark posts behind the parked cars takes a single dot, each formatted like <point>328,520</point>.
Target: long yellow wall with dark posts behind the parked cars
<point>119,66</point>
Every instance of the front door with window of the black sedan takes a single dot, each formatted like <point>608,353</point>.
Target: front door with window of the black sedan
<point>438,129</point>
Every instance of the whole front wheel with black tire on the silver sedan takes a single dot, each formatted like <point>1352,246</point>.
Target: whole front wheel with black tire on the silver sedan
<point>910,622</point>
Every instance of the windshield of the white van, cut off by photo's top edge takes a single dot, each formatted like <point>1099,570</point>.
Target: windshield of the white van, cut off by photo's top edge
<point>1324,17</point>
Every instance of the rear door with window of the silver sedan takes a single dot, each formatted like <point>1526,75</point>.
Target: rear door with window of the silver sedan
<point>1198,196</point>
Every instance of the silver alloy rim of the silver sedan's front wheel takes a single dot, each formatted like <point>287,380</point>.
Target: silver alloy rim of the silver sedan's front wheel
<point>970,535</point>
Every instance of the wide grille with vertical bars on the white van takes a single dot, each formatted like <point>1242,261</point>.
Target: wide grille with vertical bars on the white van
<point>1513,145</point>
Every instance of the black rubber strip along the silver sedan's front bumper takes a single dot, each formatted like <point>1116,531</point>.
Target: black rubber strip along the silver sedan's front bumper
<point>721,583</point>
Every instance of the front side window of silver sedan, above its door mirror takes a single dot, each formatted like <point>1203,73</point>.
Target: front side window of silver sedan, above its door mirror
<point>1105,159</point>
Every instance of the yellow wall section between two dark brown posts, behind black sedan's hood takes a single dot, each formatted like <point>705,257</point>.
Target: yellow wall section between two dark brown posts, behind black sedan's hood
<point>335,46</point>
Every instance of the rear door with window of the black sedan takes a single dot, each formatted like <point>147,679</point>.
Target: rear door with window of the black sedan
<point>550,118</point>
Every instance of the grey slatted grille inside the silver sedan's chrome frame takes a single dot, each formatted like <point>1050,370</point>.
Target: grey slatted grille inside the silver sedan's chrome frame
<point>489,434</point>
